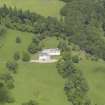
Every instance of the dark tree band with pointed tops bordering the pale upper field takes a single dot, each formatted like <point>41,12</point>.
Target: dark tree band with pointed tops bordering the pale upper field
<point>29,21</point>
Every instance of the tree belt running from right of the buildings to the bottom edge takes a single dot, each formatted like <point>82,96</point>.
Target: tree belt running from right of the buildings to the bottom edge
<point>76,87</point>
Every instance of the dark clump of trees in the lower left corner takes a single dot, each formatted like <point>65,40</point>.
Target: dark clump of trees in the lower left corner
<point>6,84</point>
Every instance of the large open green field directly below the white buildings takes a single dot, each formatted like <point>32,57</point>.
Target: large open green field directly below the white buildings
<point>39,82</point>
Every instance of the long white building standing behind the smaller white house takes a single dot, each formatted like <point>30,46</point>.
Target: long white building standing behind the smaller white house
<point>52,52</point>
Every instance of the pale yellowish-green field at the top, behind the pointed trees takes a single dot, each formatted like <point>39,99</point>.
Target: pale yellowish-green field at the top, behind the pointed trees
<point>43,7</point>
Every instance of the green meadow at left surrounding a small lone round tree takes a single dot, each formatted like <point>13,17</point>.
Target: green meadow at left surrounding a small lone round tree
<point>9,45</point>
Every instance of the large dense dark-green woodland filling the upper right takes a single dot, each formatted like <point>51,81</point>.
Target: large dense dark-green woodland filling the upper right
<point>85,24</point>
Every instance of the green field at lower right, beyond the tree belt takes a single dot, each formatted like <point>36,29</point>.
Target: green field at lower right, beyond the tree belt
<point>94,72</point>
